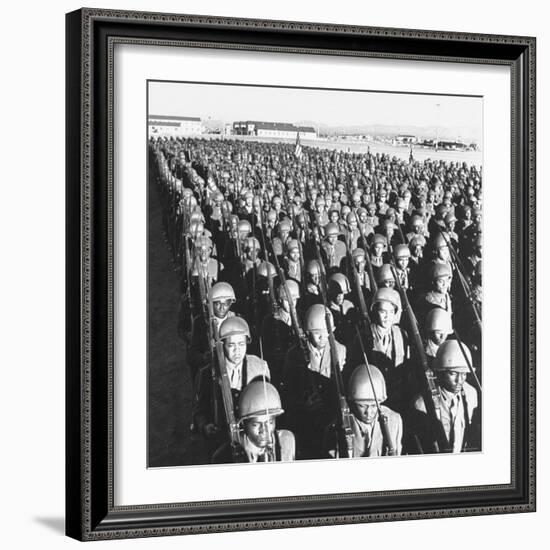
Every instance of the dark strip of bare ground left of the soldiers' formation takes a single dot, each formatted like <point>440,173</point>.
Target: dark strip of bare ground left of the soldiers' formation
<point>170,442</point>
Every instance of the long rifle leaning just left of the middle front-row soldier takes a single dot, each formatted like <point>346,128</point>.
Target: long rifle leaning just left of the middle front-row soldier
<point>344,413</point>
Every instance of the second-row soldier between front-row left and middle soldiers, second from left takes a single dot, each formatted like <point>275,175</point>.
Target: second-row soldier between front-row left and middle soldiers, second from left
<point>309,383</point>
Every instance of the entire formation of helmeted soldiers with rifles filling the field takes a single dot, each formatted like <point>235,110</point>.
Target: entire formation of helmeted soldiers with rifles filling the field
<point>331,302</point>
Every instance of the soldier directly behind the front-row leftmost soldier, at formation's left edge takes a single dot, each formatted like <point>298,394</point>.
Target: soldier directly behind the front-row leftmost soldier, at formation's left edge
<point>241,370</point>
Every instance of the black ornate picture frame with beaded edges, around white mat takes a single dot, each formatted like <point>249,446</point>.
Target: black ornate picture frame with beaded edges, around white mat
<point>91,368</point>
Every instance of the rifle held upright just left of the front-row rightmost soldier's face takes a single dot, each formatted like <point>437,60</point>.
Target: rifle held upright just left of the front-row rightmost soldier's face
<point>431,394</point>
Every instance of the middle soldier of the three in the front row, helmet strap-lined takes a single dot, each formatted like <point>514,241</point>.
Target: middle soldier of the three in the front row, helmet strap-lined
<point>377,430</point>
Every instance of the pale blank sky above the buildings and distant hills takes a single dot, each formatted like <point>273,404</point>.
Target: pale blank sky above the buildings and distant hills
<point>462,115</point>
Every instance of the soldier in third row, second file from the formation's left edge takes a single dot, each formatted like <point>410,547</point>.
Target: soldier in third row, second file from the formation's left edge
<point>277,334</point>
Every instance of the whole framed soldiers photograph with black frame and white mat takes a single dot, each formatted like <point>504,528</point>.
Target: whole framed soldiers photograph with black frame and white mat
<point>300,274</point>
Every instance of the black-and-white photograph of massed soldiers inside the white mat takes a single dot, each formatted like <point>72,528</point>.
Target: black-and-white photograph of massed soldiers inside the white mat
<point>314,273</point>
